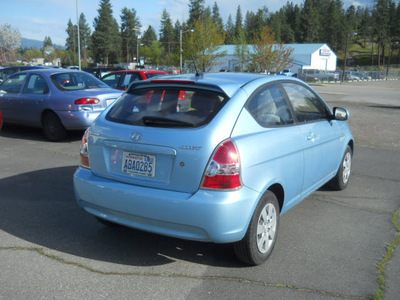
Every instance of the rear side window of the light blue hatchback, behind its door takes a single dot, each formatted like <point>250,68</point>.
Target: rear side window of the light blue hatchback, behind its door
<point>269,107</point>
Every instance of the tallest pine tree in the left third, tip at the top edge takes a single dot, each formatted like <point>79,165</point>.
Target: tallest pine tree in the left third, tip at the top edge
<point>106,38</point>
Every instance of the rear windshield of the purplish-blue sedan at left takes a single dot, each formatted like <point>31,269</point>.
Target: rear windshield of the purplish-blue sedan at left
<point>76,81</point>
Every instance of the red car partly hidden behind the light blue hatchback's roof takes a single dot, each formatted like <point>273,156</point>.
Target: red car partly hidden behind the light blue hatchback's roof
<point>122,79</point>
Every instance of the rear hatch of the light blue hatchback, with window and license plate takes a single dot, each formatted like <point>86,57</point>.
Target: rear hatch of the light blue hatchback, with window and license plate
<point>154,137</point>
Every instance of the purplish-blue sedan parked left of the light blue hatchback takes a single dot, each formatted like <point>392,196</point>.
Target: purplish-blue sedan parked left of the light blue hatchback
<point>56,100</point>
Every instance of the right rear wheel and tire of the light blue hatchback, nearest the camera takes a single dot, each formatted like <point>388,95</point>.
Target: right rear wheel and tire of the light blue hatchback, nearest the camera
<point>255,248</point>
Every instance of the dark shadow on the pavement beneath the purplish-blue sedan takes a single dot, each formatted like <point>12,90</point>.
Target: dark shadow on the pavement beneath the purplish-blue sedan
<point>35,134</point>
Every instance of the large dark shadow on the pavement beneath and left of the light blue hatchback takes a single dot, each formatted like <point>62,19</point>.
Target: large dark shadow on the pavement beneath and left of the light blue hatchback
<point>40,207</point>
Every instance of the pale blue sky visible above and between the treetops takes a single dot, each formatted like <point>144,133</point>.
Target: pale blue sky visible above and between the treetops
<point>36,19</point>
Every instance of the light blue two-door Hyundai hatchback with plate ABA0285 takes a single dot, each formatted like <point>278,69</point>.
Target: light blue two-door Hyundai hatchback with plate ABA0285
<point>217,165</point>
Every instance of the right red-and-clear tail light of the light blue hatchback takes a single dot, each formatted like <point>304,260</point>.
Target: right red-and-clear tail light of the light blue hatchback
<point>223,170</point>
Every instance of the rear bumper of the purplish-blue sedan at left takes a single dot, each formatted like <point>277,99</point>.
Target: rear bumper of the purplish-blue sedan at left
<point>78,120</point>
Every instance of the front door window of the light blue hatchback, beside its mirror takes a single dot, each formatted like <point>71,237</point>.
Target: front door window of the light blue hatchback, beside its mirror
<point>306,105</point>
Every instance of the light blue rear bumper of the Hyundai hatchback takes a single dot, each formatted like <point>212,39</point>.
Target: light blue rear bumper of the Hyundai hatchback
<point>215,216</point>
